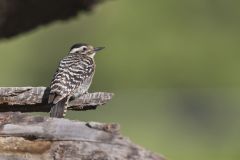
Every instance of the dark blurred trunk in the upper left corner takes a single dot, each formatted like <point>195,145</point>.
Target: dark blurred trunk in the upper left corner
<point>19,16</point>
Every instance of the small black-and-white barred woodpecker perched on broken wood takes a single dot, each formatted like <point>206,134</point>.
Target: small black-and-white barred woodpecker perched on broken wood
<point>72,78</point>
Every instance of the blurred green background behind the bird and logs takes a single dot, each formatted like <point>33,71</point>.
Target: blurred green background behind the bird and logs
<point>173,66</point>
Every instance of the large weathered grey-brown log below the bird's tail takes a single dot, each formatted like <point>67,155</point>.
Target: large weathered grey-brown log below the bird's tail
<point>24,137</point>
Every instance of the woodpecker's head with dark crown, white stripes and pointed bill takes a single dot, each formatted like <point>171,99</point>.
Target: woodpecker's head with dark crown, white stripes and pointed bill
<point>85,49</point>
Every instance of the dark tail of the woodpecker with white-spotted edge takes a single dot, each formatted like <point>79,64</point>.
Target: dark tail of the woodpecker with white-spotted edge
<point>59,109</point>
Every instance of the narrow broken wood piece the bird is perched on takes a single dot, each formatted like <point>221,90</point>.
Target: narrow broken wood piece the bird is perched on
<point>34,99</point>
